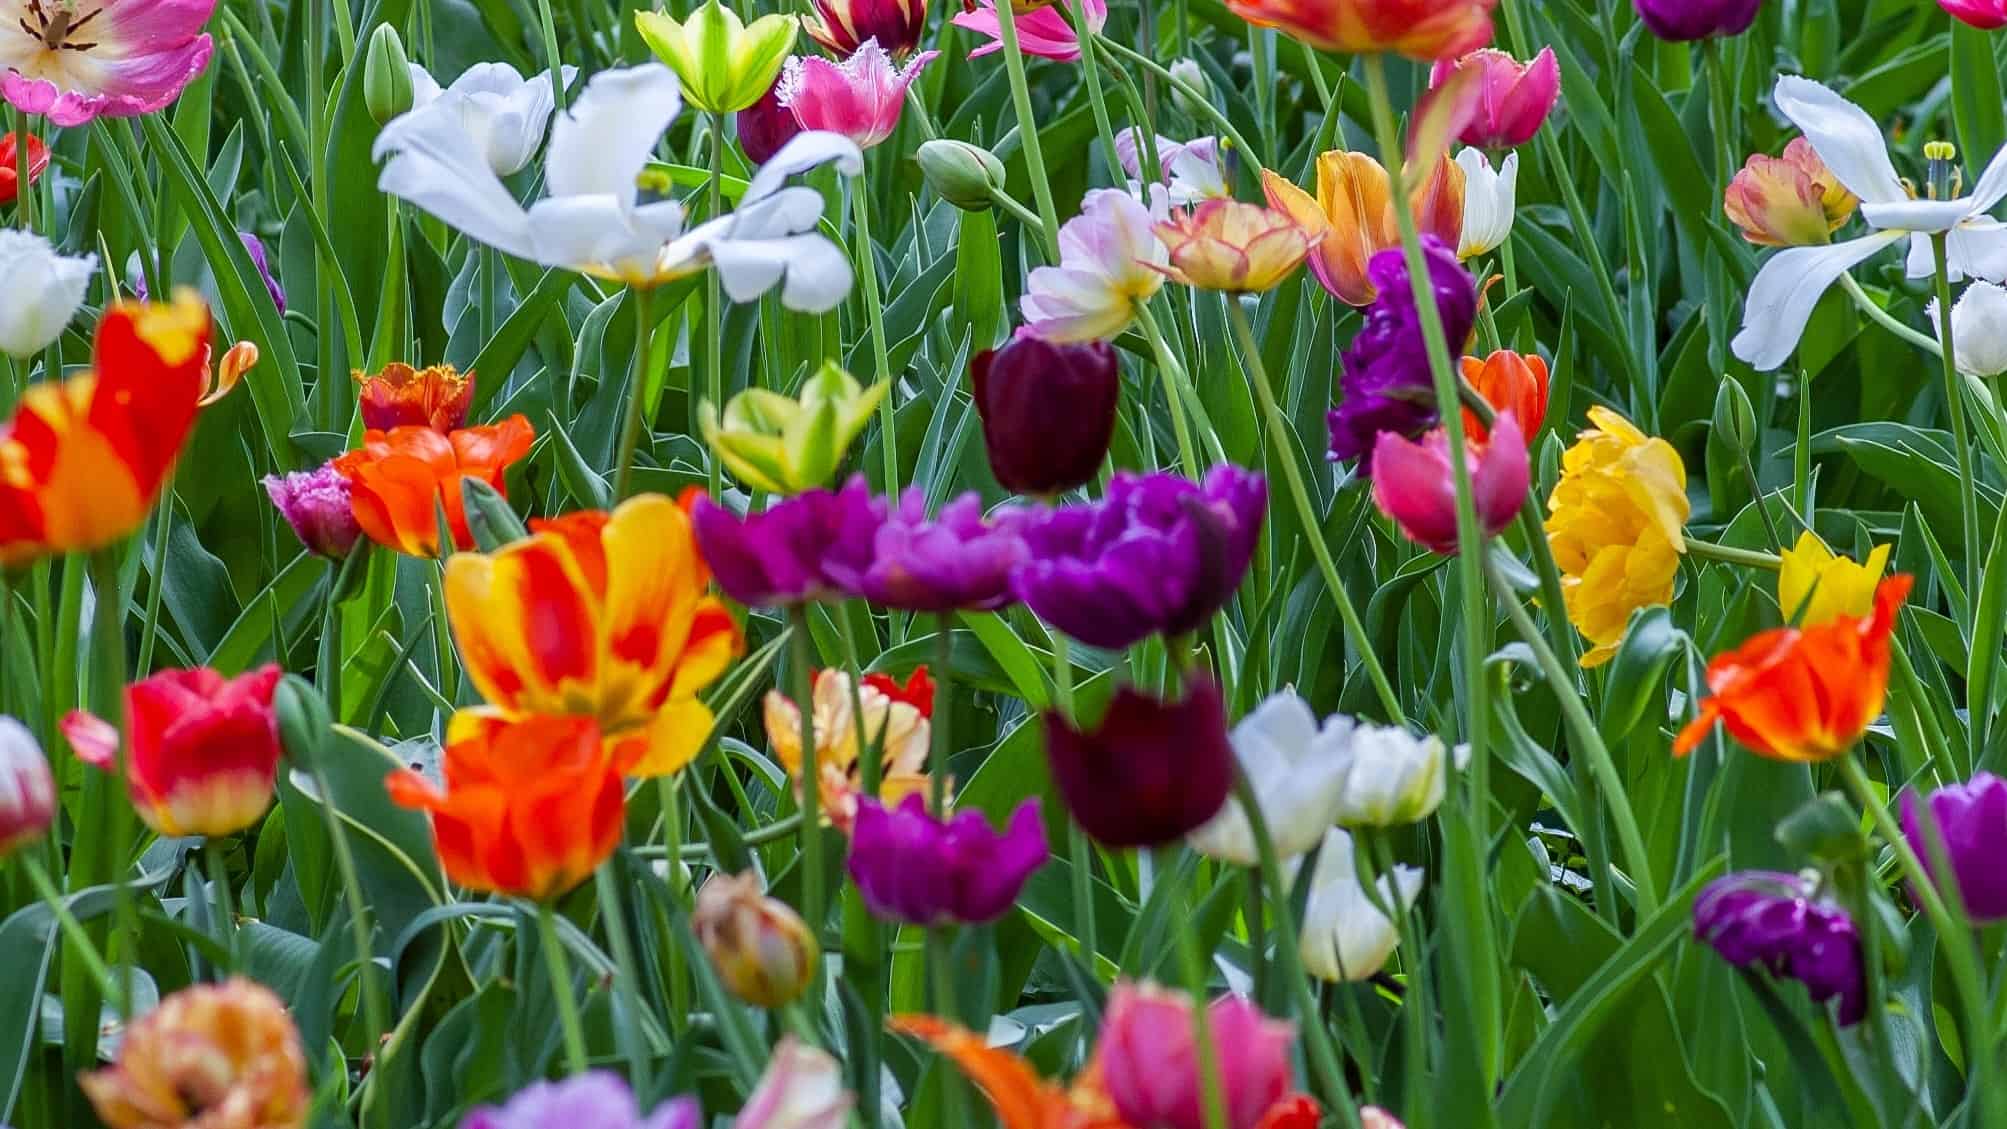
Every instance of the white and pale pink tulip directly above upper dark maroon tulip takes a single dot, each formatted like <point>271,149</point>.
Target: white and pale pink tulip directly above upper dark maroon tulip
<point>1109,266</point>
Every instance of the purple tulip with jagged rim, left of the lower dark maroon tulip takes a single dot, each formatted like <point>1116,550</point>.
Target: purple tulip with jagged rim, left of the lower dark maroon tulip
<point>916,869</point>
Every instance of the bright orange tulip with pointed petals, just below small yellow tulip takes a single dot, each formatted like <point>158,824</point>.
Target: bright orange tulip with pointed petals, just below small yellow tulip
<point>1803,695</point>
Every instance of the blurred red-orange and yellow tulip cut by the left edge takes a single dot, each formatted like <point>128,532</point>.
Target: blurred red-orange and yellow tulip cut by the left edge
<point>83,460</point>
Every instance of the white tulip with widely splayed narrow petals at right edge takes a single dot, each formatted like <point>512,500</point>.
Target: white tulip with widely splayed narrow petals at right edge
<point>1853,147</point>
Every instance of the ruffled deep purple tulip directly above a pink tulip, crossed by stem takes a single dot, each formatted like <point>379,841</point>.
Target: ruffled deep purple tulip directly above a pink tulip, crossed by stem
<point>1388,384</point>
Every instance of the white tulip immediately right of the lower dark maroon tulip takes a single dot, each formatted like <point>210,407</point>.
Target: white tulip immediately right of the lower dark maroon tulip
<point>1298,771</point>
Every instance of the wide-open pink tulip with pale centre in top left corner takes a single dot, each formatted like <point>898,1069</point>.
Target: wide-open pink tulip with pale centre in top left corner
<point>115,61</point>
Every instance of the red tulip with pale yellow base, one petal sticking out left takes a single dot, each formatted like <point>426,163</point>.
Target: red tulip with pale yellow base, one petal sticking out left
<point>204,751</point>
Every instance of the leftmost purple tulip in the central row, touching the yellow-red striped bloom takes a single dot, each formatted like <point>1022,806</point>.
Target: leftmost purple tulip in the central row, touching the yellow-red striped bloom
<point>812,546</point>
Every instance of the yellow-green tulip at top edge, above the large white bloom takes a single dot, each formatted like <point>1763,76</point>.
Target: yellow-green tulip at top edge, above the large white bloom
<point>724,63</point>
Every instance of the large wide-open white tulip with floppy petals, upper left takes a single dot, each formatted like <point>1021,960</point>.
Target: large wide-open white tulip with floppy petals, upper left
<point>593,218</point>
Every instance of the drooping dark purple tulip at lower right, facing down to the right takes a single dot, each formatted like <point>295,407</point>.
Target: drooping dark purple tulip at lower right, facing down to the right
<point>1765,919</point>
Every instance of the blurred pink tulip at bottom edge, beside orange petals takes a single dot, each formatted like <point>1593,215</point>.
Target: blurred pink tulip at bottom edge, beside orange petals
<point>1151,1066</point>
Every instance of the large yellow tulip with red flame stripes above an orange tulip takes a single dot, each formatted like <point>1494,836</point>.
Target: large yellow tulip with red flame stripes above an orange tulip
<point>599,615</point>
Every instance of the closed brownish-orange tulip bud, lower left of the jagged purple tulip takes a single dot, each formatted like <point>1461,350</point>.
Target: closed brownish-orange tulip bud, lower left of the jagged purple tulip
<point>762,948</point>
